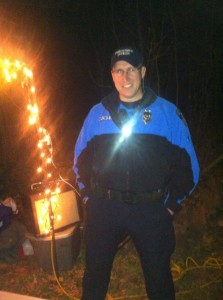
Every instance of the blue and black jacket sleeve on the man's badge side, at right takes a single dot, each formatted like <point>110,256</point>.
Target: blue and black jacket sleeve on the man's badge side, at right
<point>185,171</point>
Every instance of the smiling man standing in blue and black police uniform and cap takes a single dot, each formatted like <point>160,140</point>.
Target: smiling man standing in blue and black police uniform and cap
<point>135,164</point>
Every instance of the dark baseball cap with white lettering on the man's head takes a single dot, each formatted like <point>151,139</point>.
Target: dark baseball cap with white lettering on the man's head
<point>128,54</point>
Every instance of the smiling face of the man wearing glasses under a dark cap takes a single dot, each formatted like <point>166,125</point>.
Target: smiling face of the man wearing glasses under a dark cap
<point>127,80</point>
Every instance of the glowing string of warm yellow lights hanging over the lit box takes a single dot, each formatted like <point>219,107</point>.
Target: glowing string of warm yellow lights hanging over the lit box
<point>15,70</point>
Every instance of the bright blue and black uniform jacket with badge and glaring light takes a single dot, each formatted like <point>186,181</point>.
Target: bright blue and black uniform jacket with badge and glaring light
<point>157,153</point>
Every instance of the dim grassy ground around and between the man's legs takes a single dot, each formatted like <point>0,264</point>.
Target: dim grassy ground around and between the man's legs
<point>197,272</point>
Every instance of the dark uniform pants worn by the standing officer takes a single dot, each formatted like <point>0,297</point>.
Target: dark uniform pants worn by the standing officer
<point>151,229</point>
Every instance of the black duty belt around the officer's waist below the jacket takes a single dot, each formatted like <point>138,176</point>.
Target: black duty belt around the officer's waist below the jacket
<point>131,197</point>
